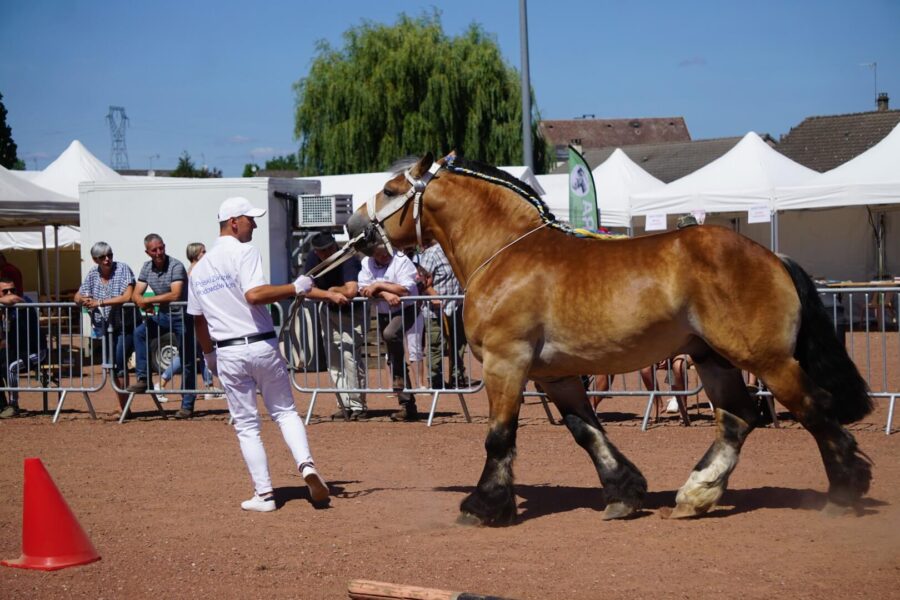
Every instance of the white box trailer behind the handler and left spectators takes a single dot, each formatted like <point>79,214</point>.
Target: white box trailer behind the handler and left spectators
<point>183,211</point>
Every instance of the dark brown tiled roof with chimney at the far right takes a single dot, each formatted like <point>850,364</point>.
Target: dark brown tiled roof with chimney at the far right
<point>822,143</point>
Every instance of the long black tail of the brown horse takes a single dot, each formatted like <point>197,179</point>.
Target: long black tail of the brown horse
<point>824,358</point>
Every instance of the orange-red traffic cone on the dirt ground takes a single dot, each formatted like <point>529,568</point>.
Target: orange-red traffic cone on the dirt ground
<point>51,536</point>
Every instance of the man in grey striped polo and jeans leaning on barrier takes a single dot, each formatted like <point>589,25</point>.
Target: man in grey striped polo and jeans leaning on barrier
<point>167,277</point>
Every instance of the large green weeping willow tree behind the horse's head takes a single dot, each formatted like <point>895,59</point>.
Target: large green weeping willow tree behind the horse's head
<point>401,90</point>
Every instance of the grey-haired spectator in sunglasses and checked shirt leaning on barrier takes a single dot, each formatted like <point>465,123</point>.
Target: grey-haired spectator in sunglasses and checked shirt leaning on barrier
<point>104,291</point>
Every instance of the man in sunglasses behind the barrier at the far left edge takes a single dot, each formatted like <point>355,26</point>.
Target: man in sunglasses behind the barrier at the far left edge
<point>21,344</point>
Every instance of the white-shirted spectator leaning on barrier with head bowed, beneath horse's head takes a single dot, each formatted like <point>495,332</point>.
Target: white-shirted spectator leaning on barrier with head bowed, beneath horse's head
<point>387,278</point>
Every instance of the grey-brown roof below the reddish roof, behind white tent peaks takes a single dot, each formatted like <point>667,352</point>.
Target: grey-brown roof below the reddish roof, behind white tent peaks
<point>666,162</point>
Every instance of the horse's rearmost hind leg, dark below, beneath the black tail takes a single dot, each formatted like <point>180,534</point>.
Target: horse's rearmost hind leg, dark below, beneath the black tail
<point>849,470</point>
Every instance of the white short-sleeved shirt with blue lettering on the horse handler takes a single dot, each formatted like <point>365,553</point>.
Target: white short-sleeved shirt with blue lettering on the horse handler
<point>216,289</point>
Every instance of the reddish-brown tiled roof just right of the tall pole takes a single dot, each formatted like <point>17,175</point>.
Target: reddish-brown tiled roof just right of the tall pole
<point>601,133</point>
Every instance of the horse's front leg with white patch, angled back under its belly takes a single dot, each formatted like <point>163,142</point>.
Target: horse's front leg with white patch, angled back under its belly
<point>623,485</point>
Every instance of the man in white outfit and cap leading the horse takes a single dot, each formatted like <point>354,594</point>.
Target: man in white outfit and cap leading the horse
<point>228,294</point>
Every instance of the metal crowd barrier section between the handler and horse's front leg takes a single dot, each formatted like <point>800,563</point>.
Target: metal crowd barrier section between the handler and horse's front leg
<point>343,351</point>
